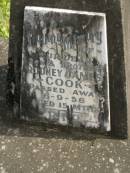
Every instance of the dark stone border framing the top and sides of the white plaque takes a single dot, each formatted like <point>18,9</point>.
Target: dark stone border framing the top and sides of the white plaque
<point>115,49</point>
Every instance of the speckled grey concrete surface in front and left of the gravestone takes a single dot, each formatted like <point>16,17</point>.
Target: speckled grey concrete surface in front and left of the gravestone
<point>28,148</point>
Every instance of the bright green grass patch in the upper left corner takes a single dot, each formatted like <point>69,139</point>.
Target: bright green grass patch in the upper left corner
<point>4,18</point>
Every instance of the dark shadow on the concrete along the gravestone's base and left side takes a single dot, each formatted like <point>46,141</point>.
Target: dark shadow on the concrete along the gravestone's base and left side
<point>10,126</point>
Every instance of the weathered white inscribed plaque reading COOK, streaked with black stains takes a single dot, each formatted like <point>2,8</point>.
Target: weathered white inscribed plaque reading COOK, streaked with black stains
<point>65,68</point>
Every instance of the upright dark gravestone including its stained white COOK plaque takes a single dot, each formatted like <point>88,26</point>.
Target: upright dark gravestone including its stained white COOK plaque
<point>19,80</point>
